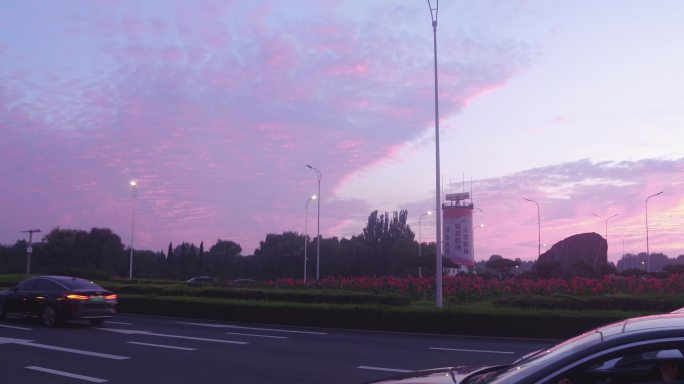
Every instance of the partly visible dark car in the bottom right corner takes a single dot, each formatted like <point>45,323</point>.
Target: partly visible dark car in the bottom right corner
<point>638,350</point>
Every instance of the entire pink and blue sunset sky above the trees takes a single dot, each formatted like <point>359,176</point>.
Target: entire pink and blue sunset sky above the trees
<point>216,107</point>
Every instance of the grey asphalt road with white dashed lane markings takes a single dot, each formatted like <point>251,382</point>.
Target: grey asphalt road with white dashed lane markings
<point>143,349</point>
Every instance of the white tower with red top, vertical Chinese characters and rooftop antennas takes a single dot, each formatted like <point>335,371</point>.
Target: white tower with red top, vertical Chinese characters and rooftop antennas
<point>458,243</point>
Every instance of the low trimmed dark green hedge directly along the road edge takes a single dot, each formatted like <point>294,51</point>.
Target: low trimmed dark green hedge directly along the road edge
<point>457,321</point>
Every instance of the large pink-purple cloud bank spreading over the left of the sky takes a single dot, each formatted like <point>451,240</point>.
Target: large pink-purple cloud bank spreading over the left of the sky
<point>217,118</point>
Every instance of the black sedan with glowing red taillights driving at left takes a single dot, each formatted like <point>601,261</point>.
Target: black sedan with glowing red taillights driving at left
<point>54,299</point>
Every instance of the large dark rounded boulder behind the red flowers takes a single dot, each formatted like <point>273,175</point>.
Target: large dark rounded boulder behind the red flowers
<point>583,255</point>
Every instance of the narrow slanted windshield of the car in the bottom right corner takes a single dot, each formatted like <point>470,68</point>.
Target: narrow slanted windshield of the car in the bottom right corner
<point>537,359</point>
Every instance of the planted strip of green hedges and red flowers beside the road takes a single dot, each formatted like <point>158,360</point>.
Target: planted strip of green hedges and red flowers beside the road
<point>516,307</point>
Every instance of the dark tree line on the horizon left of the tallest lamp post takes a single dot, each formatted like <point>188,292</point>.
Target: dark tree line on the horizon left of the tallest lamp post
<point>386,246</point>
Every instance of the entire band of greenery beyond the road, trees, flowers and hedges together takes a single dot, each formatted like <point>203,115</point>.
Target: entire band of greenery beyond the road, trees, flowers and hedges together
<point>374,280</point>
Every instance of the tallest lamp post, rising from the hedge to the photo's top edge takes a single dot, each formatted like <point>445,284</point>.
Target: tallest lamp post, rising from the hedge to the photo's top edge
<point>438,187</point>
